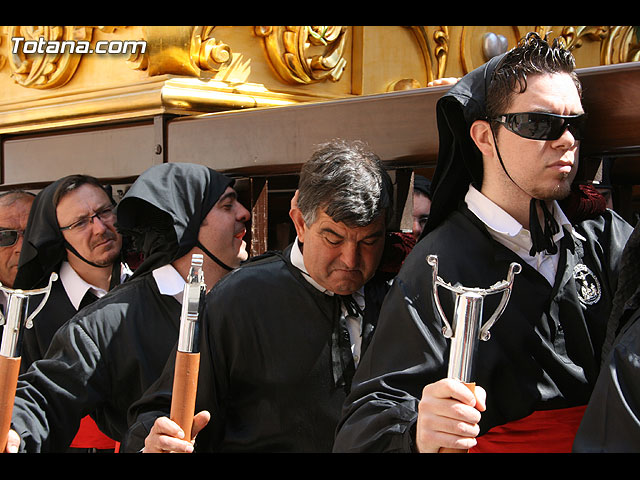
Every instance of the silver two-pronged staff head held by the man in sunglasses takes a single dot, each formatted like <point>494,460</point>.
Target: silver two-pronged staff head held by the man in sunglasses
<point>466,330</point>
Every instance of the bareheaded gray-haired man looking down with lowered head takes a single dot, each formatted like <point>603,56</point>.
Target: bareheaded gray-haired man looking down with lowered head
<point>283,335</point>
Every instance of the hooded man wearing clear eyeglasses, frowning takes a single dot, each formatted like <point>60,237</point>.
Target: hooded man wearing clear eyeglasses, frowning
<point>72,232</point>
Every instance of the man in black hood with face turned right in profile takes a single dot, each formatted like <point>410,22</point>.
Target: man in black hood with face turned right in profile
<point>109,353</point>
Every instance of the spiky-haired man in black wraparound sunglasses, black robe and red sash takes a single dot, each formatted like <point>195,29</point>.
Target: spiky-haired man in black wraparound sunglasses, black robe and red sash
<point>509,138</point>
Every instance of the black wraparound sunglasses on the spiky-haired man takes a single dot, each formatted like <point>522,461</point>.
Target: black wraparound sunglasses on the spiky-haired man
<point>543,126</point>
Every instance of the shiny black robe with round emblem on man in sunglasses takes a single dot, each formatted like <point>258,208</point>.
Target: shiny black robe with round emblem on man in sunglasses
<point>543,353</point>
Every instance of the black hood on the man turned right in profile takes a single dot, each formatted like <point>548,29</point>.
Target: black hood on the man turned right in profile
<point>163,210</point>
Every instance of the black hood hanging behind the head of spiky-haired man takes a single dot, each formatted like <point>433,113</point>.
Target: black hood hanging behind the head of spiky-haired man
<point>459,160</point>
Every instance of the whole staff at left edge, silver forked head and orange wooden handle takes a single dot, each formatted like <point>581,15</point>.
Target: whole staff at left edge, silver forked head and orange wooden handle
<point>17,308</point>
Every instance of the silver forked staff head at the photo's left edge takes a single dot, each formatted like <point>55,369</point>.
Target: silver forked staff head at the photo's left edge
<point>17,308</point>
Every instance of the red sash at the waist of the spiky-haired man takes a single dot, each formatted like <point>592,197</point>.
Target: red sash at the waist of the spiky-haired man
<point>547,431</point>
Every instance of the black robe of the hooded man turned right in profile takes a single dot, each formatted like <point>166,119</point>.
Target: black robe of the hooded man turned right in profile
<point>99,363</point>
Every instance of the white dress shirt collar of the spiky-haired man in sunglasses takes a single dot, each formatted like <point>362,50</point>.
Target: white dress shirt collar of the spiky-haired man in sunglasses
<point>509,232</point>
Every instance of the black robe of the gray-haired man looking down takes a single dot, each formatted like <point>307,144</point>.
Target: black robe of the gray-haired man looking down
<point>266,371</point>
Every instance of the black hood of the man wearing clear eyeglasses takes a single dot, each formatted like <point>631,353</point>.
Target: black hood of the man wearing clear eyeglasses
<point>44,247</point>
